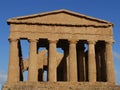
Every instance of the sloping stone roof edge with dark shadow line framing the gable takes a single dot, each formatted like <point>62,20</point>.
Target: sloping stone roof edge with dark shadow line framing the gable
<point>18,19</point>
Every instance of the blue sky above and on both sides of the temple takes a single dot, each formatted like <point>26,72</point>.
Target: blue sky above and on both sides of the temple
<point>103,9</point>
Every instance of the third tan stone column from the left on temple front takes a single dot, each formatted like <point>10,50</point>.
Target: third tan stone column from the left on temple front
<point>52,77</point>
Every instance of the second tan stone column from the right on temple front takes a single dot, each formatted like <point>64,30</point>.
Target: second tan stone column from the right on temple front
<point>91,61</point>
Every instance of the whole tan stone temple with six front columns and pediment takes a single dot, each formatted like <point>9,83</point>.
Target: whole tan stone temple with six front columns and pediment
<point>85,63</point>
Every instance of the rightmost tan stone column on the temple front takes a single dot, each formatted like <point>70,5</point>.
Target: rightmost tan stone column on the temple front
<point>109,63</point>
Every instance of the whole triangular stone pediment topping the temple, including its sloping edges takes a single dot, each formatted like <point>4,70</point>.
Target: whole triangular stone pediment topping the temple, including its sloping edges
<point>60,17</point>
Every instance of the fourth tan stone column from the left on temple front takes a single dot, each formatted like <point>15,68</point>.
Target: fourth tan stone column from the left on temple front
<point>72,62</point>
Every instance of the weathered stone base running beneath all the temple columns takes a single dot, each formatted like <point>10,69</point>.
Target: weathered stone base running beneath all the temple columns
<point>60,86</point>
